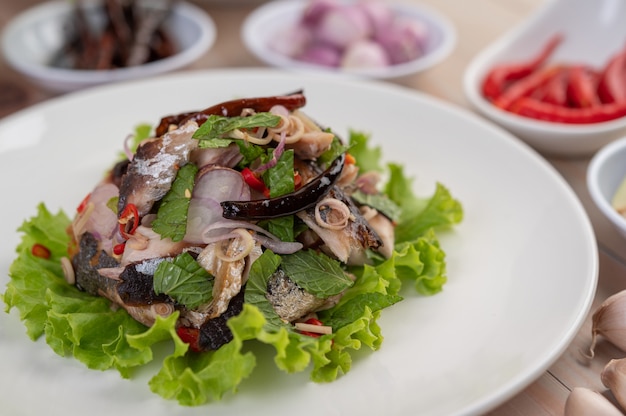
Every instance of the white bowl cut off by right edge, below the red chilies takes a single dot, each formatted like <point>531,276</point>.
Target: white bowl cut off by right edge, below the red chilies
<point>605,174</point>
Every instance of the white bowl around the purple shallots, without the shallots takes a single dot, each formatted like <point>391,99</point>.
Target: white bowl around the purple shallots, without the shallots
<point>263,24</point>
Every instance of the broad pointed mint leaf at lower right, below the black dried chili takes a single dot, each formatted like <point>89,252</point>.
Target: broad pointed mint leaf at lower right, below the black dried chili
<point>316,273</point>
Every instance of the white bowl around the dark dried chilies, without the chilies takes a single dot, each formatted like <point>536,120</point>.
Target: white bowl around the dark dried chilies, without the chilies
<point>31,39</point>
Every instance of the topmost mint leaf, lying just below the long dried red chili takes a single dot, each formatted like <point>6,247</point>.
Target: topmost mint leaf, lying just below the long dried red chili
<point>216,126</point>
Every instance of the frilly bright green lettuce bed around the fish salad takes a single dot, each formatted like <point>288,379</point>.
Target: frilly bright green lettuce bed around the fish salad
<point>75,323</point>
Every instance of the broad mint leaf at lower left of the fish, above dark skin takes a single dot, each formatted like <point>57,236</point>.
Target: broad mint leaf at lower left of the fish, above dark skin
<point>184,280</point>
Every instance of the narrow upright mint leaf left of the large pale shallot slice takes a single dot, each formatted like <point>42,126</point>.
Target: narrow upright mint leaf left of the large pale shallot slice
<point>171,220</point>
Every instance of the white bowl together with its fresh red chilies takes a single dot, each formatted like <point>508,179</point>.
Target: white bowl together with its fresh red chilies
<point>553,84</point>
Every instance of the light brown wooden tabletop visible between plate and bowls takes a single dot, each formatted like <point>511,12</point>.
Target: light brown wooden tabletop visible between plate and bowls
<point>477,22</point>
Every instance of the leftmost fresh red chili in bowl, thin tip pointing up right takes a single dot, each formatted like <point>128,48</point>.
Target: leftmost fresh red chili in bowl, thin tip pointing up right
<point>499,77</point>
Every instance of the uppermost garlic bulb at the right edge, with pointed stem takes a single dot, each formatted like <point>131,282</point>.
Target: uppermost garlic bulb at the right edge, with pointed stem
<point>609,321</point>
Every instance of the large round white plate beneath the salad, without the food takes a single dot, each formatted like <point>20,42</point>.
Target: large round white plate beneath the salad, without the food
<point>522,266</point>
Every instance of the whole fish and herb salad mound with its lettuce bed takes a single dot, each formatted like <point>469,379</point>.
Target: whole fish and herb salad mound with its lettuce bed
<point>245,222</point>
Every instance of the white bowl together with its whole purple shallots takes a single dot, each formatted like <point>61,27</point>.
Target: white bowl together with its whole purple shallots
<point>363,38</point>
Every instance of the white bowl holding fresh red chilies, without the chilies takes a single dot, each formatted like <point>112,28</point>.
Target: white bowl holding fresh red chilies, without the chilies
<point>593,31</point>
